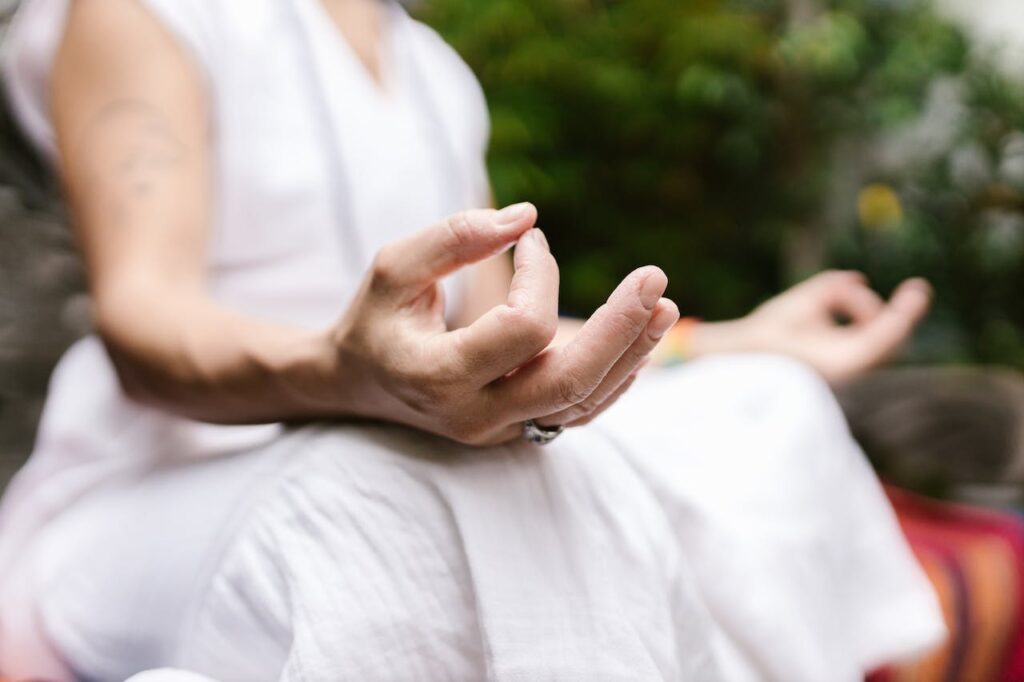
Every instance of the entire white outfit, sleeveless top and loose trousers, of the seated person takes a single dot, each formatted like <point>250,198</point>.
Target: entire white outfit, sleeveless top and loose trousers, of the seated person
<point>718,524</point>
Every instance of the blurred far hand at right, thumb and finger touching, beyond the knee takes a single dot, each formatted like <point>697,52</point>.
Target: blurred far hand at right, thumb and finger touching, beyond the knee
<point>802,323</point>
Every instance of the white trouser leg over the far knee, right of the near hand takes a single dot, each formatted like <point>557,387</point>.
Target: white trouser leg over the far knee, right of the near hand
<point>795,548</point>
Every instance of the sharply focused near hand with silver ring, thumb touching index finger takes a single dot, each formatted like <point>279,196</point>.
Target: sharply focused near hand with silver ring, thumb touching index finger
<point>396,360</point>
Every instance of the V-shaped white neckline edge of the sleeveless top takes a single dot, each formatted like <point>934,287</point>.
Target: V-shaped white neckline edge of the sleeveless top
<point>386,86</point>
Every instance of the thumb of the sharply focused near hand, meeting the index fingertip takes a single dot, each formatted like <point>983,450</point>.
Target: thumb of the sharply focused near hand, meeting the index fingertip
<point>460,240</point>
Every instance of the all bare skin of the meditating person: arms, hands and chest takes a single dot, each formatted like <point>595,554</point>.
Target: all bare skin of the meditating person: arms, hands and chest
<point>134,133</point>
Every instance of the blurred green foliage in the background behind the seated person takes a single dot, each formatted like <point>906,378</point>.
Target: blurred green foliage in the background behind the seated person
<point>742,144</point>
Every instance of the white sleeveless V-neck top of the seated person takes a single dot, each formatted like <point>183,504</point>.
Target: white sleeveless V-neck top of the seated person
<point>302,206</point>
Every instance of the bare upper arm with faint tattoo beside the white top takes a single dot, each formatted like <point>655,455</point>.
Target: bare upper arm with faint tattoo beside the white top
<point>132,119</point>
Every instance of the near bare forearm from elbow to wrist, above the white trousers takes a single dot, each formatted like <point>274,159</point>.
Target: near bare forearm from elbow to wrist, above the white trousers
<point>196,359</point>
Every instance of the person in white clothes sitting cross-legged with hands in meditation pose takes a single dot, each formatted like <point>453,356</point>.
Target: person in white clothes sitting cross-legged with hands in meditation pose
<point>248,179</point>
